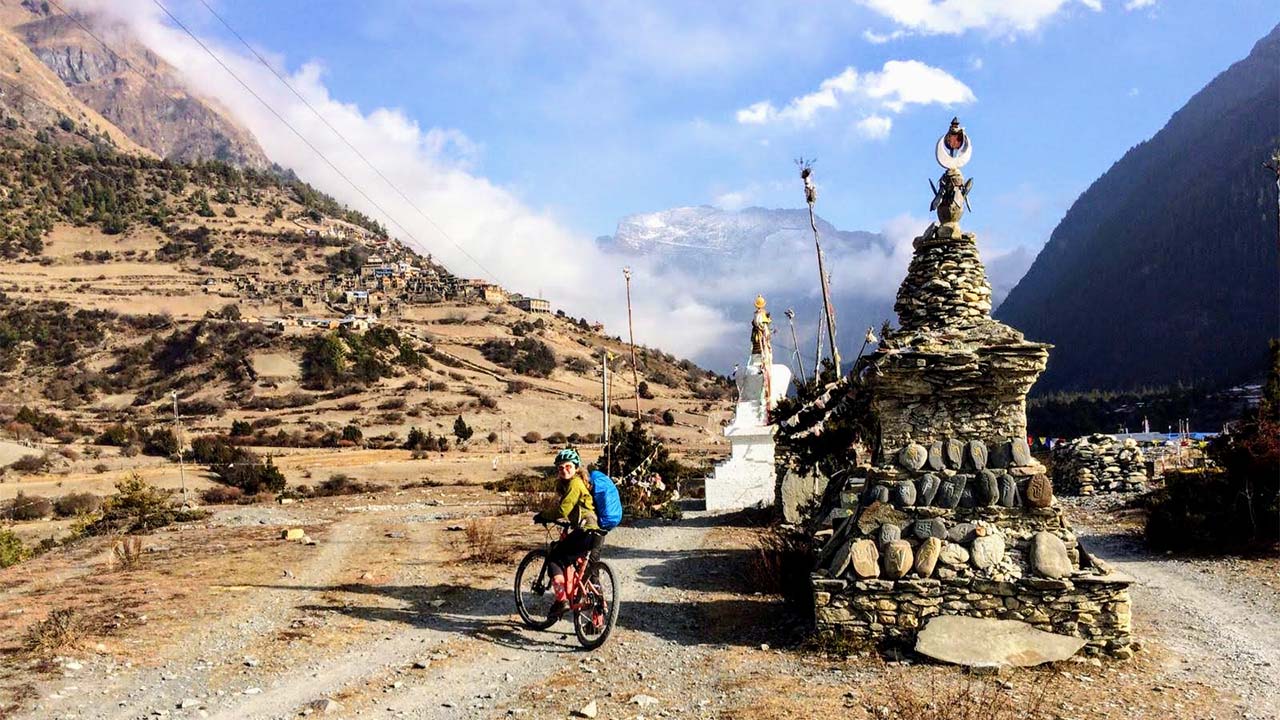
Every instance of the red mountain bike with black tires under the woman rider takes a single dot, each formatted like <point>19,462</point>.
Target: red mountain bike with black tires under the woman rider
<point>593,596</point>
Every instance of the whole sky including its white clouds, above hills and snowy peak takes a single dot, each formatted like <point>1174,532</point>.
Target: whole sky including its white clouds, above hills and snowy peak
<point>528,129</point>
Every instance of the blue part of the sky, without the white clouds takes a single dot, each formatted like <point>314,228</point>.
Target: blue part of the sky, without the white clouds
<point>597,111</point>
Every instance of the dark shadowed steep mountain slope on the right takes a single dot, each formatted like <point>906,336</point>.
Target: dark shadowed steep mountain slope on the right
<point>1164,271</point>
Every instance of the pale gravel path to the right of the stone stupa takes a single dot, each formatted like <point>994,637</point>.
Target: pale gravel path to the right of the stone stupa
<point>1226,627</point>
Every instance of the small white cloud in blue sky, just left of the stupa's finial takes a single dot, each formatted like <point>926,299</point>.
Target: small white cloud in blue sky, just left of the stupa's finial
<point>898,85</point>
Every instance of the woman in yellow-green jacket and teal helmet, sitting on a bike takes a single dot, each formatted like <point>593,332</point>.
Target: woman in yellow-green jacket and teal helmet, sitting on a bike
<point>578,509</point>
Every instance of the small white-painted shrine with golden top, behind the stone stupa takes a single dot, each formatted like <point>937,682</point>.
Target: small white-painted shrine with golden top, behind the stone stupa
<point>747,479</point>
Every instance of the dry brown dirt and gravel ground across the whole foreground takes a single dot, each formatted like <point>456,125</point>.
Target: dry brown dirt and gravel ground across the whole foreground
<point>386,618</point>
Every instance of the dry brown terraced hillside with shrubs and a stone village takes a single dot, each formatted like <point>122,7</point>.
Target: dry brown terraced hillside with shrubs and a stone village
<point>250,295</point>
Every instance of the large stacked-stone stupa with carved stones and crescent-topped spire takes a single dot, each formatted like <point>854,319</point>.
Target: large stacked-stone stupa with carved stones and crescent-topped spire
<point>948,513</point>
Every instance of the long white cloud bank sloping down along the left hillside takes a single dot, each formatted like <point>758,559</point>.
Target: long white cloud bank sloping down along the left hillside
<point>527,249</point>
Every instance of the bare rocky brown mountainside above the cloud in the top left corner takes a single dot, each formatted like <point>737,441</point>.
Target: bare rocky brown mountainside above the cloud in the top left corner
<point>132,88</point>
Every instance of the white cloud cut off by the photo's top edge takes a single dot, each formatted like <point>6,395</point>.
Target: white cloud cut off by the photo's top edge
<point>956,17</point>
